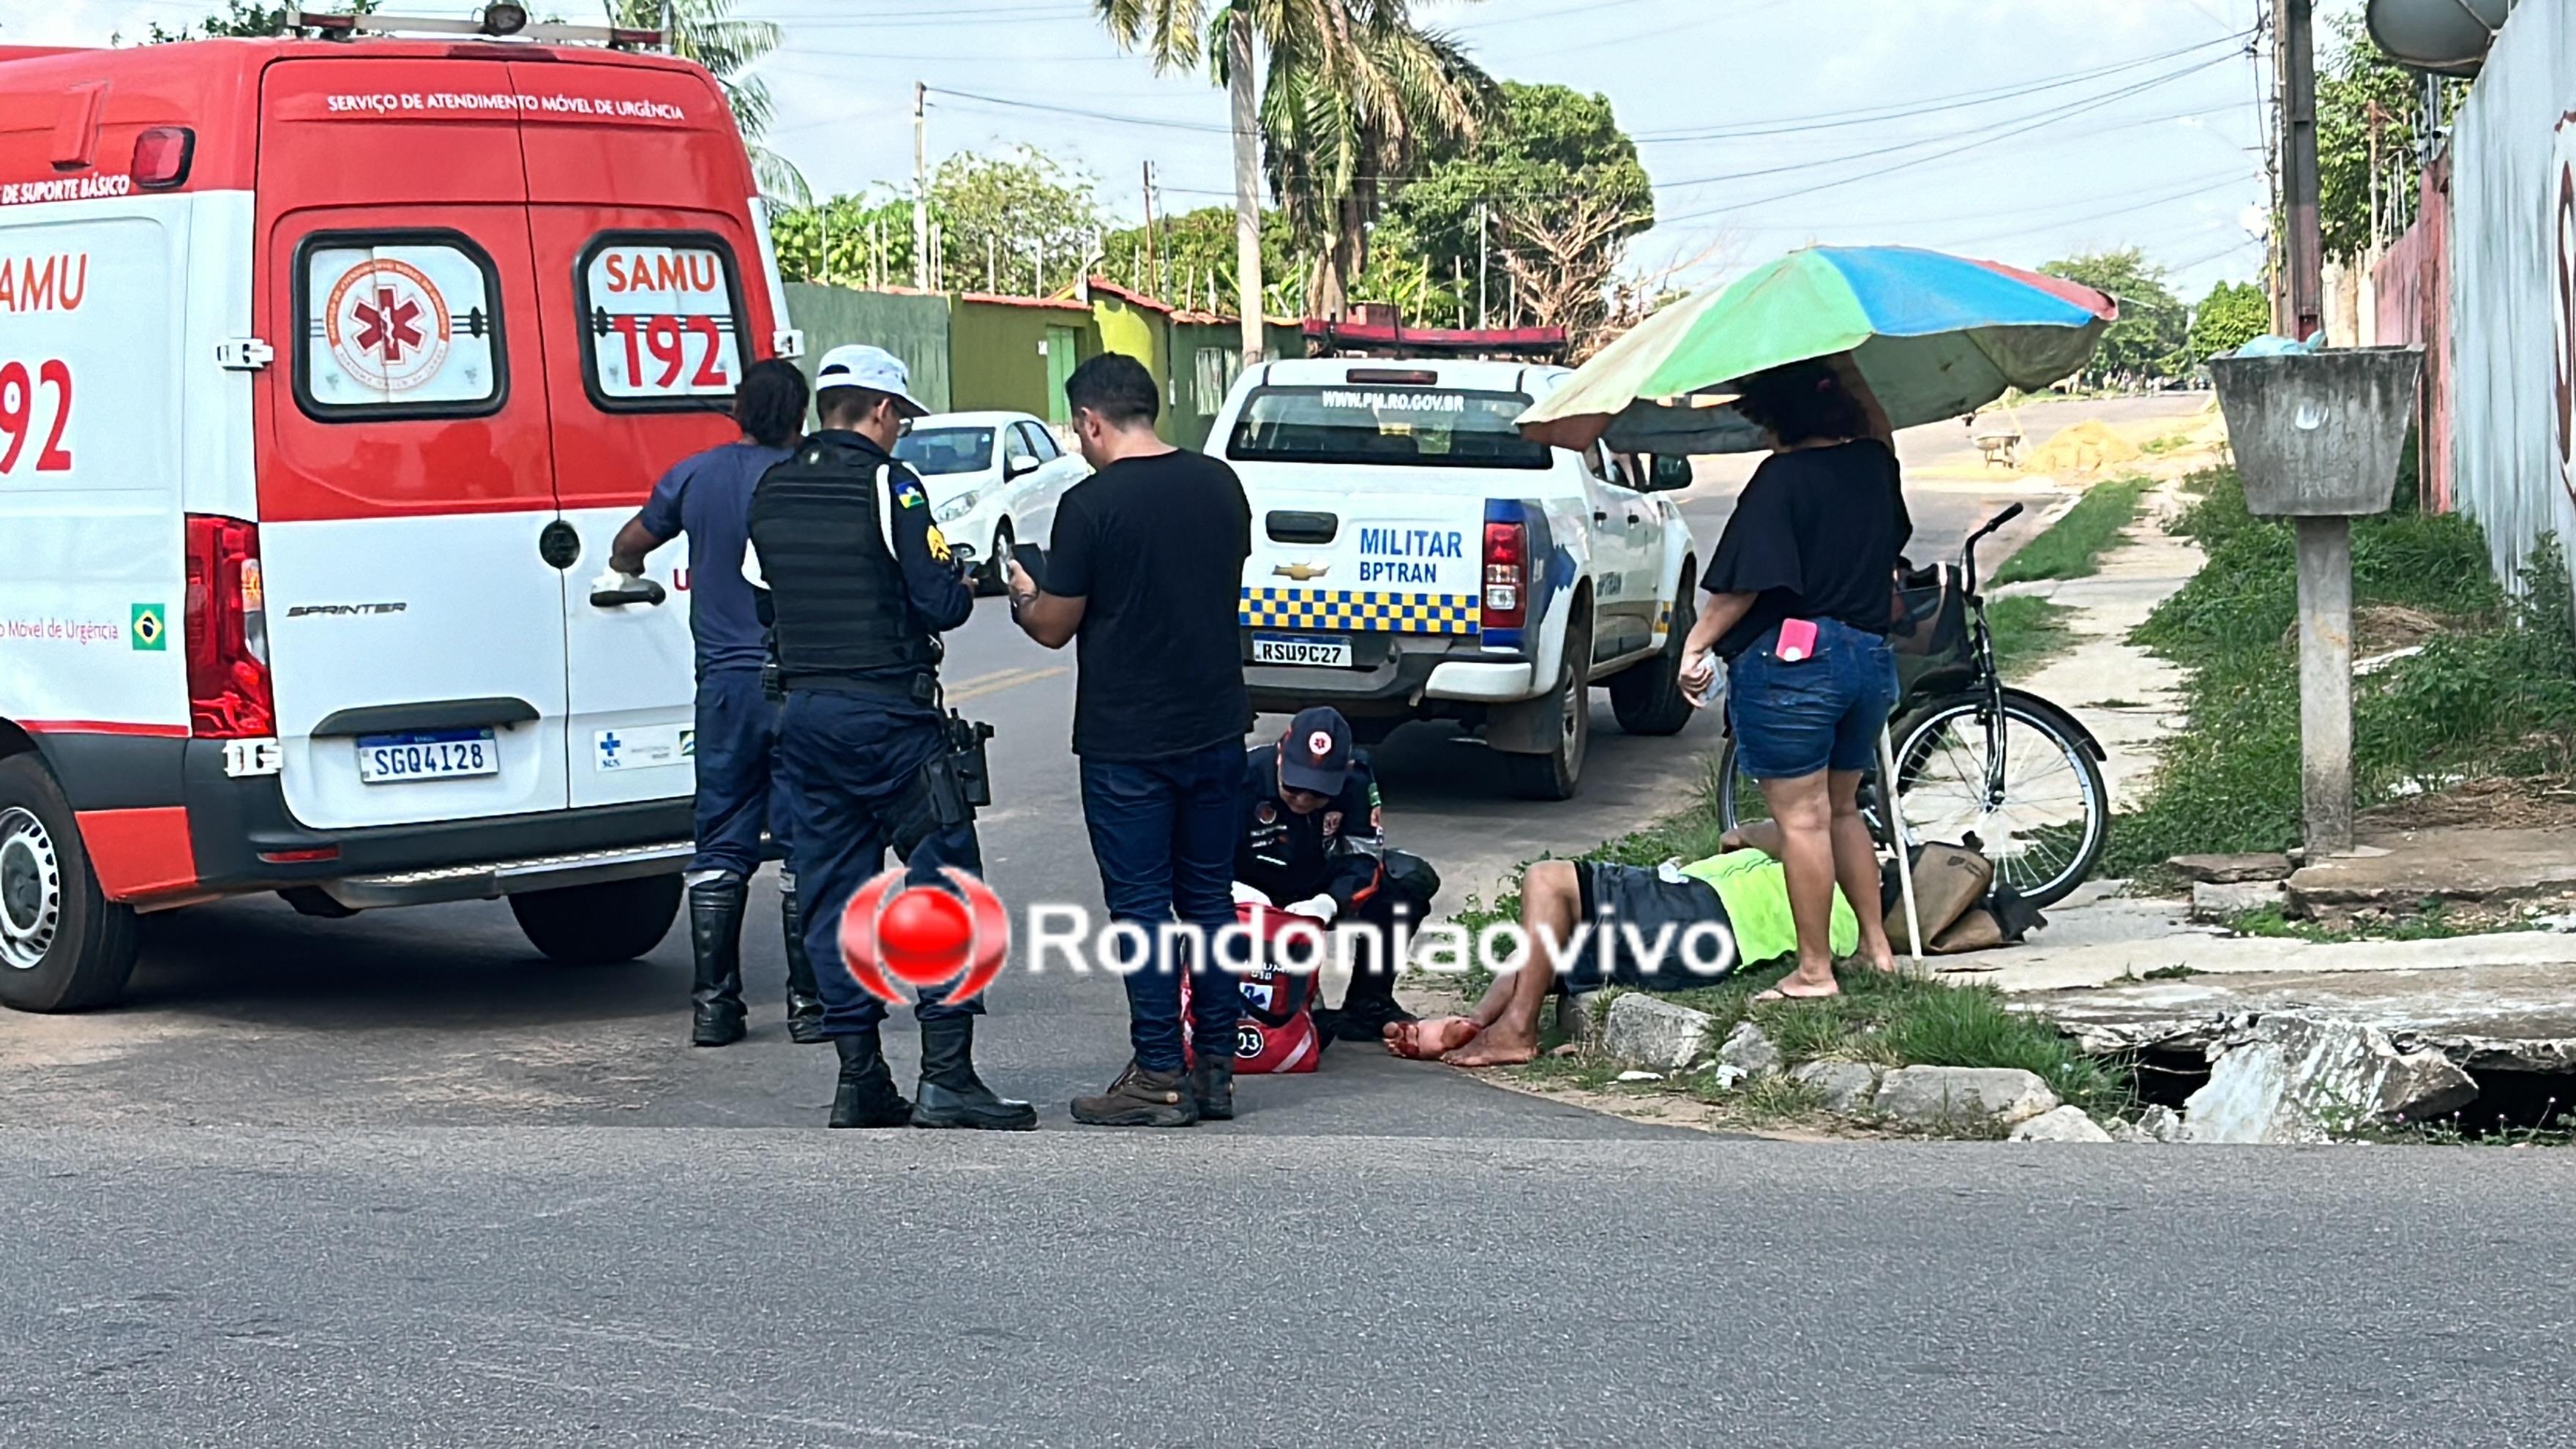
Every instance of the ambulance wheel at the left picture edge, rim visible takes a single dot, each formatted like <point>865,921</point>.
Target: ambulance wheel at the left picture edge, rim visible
<point>63,942</point>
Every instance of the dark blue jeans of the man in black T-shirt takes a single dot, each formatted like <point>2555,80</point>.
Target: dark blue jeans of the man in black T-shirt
<point>1163,834</point>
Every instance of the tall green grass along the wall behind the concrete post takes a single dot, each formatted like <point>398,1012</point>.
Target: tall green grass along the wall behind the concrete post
<point>2492,695</point>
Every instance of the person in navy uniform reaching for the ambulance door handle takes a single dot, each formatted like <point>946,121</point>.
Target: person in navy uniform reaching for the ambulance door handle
<point>710,499</point>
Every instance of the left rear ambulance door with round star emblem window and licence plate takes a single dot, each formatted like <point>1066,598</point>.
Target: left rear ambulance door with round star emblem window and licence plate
<point>408,514</point>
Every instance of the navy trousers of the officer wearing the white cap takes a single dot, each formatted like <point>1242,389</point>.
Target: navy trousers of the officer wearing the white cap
<point>851,777</point>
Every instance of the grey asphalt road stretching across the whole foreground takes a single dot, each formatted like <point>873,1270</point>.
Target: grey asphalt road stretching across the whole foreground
<point>1194,1290</point>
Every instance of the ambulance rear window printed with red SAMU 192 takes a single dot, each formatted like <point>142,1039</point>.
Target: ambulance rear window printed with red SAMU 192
<point>661,318</point>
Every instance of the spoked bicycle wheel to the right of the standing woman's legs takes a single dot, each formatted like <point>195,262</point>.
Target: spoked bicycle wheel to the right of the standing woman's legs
<point>2041,816</point>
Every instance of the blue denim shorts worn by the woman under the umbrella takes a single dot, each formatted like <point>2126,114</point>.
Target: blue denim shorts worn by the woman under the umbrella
<point>1812,715</point>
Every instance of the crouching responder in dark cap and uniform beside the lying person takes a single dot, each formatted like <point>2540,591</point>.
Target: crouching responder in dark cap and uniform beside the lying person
<point>1315,842</point>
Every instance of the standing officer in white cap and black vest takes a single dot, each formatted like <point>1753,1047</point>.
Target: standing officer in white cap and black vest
<point>862,587</point>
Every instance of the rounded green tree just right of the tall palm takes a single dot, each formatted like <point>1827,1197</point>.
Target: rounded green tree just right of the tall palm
<point>1549,187</point>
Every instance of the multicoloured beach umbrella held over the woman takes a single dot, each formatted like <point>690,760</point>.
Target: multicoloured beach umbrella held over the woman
<point>1936,336</point>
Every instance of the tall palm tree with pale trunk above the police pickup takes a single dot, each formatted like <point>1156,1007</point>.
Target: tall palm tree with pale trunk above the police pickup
<point>1356,94</point>
